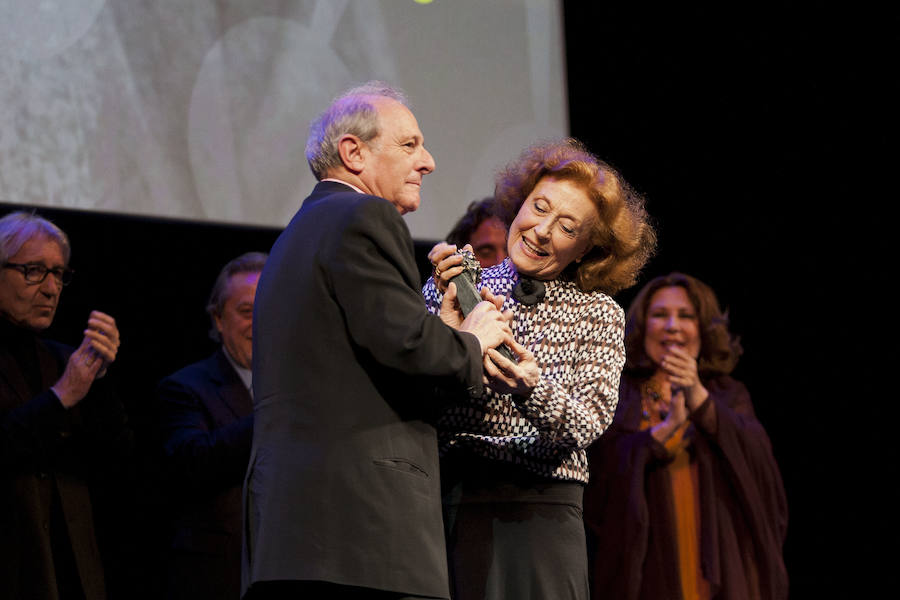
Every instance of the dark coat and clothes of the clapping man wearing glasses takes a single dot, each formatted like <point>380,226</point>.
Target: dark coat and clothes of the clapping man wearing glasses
<point>48,458</point>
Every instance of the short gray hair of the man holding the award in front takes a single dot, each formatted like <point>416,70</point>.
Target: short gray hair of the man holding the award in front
<point>352,112</point>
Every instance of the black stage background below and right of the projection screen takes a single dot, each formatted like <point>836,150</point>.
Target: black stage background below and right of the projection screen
<point>752,132</point>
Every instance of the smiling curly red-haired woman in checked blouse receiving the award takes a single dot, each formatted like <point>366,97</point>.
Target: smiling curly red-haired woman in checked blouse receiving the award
<point>514,463</point>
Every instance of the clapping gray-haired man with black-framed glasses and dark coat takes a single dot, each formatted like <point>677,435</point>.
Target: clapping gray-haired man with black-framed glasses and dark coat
<point>58,424</point>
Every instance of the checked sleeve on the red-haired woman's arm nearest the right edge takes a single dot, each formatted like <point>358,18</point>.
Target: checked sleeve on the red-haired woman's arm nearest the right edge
<point>575,399</point>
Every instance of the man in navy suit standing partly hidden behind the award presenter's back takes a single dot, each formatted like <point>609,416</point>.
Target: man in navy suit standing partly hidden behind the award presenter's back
<point>206,416</point>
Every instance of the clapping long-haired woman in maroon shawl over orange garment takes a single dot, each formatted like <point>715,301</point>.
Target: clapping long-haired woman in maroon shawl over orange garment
<point>685,475</point>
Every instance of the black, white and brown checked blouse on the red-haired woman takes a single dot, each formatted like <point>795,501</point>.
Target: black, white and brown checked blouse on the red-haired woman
<point>577,339</point>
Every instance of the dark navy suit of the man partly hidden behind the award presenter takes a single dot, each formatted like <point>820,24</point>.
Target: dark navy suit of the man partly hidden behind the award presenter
<point>206,418</point>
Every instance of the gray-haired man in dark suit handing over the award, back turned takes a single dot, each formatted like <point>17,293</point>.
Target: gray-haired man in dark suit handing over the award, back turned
<point>343,492</point>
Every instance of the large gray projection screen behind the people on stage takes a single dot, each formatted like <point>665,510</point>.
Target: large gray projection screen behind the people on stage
<point>199,110</point>
